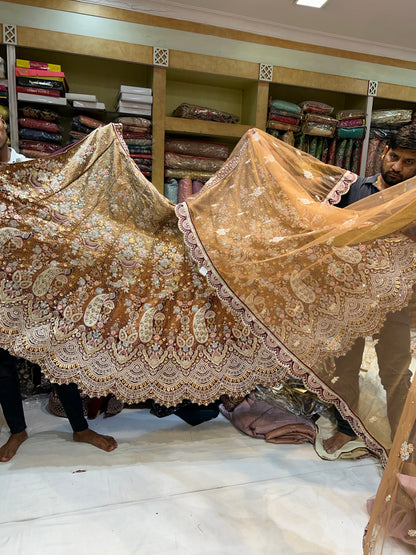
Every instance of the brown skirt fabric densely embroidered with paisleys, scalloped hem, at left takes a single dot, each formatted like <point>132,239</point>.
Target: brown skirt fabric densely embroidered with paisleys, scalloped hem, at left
<point>97,285</point>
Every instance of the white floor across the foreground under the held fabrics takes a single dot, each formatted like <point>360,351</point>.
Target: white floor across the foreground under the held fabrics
<point>174,489</point>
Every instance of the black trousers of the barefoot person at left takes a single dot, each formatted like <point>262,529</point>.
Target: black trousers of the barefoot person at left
<point>11,400</point>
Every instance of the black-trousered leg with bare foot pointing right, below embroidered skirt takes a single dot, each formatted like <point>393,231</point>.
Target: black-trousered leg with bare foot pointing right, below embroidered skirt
<point>71,401</point>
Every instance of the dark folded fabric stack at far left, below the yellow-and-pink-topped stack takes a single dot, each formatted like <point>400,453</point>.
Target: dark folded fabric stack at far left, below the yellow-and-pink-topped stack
<point>39,132</point>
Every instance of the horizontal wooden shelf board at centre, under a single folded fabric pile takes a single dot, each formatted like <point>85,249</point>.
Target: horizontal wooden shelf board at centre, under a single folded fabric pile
<point>202,127</point>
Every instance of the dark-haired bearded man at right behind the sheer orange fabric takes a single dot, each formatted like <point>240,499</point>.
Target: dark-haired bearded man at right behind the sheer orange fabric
<point>393,345</point>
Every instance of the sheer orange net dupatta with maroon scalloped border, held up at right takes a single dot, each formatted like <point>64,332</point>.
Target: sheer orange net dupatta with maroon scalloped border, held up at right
<point>306,276</point>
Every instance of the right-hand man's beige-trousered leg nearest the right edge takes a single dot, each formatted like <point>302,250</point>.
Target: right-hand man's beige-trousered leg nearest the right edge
<point>393,355</point>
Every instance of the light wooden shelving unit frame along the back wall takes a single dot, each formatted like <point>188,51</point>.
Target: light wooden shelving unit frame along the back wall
<point>99,66</point>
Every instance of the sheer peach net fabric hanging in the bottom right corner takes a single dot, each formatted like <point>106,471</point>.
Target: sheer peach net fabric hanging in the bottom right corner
<point>393,510</point>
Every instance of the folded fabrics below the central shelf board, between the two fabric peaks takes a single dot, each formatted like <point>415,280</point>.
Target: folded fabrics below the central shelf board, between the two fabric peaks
<point>189,164</point>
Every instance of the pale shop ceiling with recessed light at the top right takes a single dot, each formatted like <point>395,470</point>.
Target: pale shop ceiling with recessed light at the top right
<point>378,27</point>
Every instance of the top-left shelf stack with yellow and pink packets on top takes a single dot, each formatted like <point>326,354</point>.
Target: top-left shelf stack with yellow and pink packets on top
<point>40,82</point>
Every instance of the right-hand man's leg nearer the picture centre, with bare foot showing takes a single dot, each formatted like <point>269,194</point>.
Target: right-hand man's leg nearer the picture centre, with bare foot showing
<point>348,386</point>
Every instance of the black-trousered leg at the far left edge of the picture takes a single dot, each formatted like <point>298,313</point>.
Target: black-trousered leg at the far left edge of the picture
<point>11,403</point>
